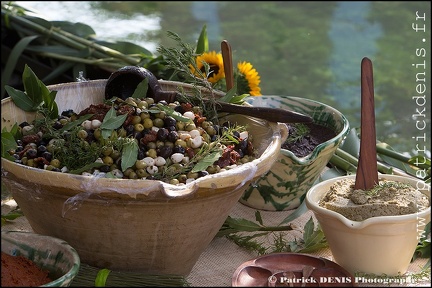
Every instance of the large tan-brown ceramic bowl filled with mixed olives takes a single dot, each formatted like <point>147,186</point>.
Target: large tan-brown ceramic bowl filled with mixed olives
<point>125,224</point>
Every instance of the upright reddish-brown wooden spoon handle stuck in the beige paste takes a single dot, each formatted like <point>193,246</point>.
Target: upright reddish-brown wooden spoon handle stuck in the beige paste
<point>367,170</point>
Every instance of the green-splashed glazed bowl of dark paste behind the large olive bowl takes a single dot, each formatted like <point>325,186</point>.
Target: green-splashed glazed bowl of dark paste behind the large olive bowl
<point>290,177</point>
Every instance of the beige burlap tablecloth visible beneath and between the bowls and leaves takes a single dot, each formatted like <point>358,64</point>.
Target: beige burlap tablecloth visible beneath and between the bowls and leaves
<point>217,264</point>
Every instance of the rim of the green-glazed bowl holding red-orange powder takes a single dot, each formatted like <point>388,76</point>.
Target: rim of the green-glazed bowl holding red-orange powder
<point>76,263</point>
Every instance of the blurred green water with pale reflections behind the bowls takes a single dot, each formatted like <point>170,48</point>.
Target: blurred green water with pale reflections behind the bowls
<point>306,49</point>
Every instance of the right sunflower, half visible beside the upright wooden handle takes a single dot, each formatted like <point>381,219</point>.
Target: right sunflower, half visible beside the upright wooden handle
<point>248,79</point>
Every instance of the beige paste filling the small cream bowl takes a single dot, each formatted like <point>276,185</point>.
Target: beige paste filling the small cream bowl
<point>389,198</point>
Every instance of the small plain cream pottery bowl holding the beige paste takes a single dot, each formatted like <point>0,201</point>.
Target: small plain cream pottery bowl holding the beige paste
<point>378,245</point>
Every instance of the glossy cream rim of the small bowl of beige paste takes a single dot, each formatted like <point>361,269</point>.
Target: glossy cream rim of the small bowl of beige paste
<point>314,192</point>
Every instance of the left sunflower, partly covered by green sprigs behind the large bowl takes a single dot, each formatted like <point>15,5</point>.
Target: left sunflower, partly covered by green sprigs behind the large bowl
<point>215,62</point>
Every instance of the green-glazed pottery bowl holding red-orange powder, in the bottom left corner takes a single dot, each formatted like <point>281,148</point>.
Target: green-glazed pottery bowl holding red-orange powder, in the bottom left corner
<point>48,253</point>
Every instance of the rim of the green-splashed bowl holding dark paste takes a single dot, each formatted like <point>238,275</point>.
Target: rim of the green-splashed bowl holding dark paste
<point>313,155</point>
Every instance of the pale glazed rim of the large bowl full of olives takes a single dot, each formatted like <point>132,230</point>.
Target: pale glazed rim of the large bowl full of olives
<point>241,174</point>
